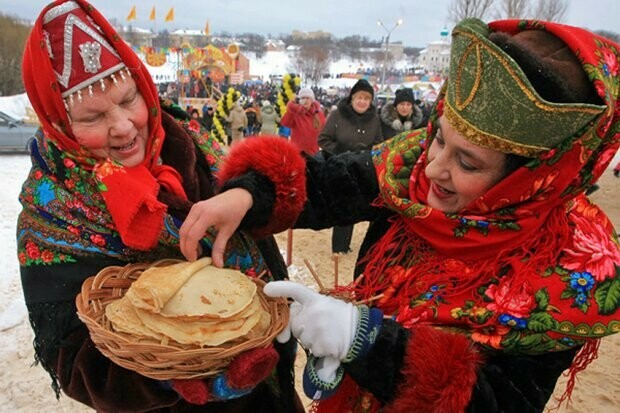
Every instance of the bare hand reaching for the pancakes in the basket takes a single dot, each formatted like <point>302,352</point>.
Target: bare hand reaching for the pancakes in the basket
<point>224,212</point>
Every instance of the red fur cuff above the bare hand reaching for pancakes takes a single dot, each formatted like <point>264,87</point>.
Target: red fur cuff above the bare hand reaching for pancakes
<point>282,164</point>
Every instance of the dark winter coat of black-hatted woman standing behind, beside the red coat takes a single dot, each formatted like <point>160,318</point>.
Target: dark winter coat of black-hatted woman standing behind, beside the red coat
<point>346,130</point>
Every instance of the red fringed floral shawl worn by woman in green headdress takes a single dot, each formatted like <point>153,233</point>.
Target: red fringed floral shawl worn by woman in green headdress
<point>532,265</point>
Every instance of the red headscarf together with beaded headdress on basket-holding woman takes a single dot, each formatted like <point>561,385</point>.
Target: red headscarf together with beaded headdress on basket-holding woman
<point>71,49</point>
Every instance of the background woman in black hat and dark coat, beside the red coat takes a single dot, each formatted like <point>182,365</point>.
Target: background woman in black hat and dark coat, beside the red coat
<point>354,126</point>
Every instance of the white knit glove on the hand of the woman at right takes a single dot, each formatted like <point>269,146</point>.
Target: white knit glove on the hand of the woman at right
<point>324,325</point>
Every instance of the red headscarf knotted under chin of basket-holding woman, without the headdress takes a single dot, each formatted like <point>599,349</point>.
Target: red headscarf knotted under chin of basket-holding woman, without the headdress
<point>130,194</point>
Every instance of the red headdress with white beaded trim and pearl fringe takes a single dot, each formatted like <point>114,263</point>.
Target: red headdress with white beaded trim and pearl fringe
<point>81,56</point>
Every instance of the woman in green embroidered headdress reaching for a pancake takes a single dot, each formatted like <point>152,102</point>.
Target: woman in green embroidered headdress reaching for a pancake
<point>486,272</point>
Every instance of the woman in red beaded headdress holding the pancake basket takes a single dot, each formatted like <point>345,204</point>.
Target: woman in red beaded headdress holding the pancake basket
<point>114,174</point>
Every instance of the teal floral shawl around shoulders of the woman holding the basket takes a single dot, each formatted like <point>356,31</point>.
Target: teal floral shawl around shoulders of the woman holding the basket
<point>65,216</point>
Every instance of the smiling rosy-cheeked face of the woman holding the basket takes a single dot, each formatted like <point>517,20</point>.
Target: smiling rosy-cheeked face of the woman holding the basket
<point>113,123</point>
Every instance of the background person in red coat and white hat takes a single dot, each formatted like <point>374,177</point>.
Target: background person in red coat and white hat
<point>305,119</point>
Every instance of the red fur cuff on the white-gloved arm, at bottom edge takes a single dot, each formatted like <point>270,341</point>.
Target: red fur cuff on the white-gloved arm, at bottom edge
<point>440,373</point>
